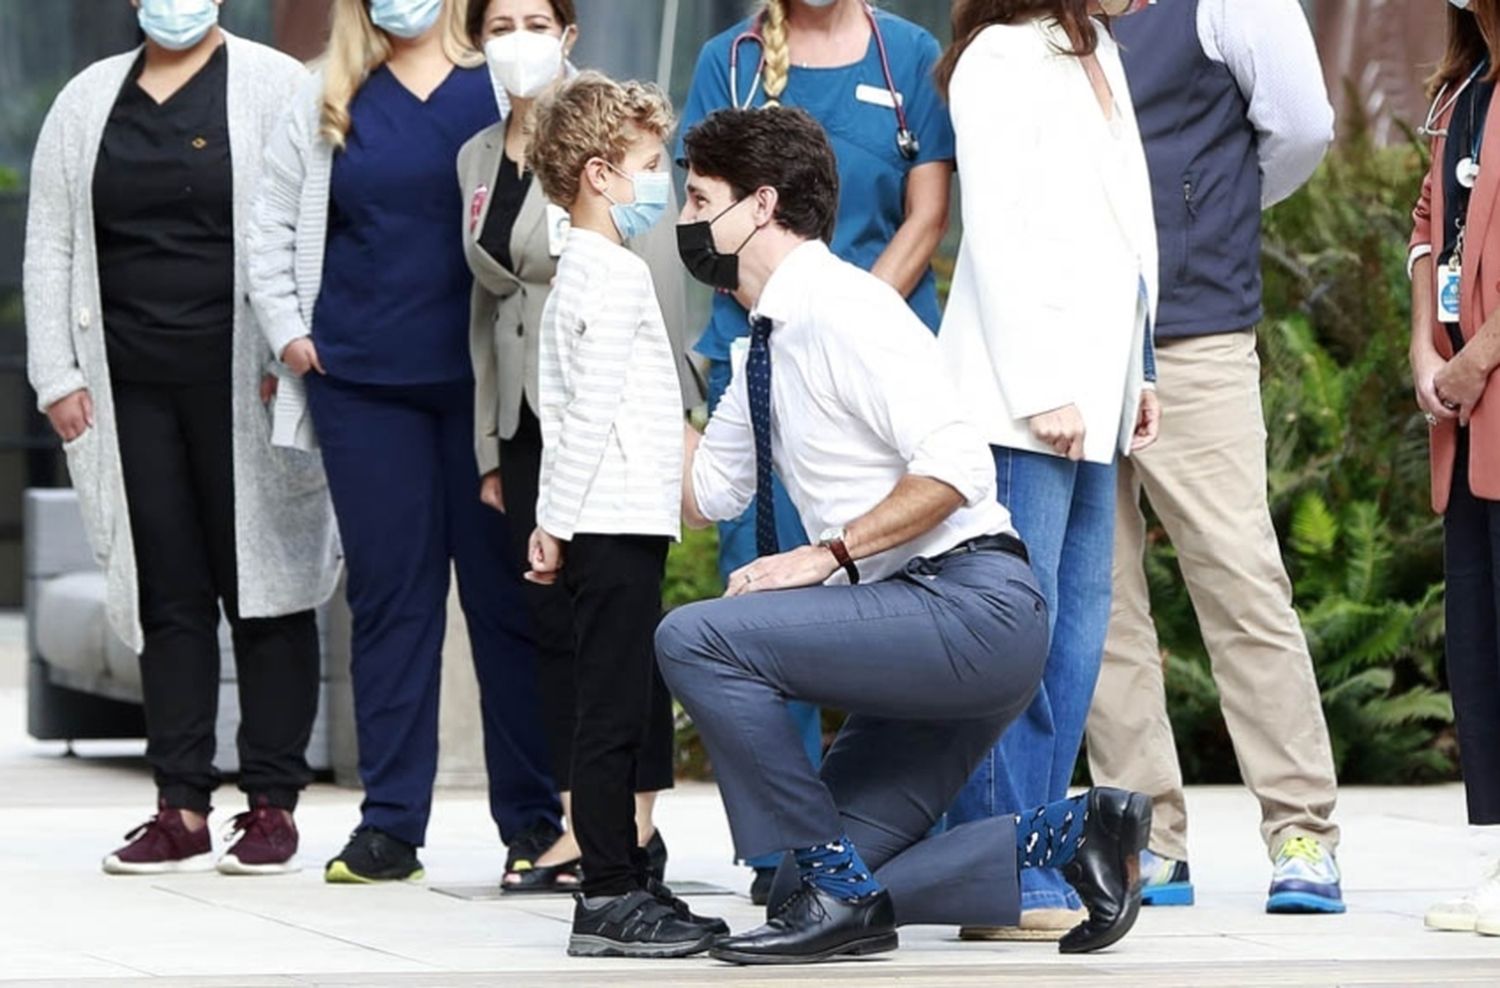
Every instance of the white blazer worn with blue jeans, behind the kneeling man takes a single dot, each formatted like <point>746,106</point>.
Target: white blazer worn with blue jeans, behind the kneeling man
<point>1057,283</point>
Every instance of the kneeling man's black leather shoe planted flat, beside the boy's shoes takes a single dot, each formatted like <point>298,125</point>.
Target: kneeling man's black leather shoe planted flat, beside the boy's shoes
<point>814,926</point>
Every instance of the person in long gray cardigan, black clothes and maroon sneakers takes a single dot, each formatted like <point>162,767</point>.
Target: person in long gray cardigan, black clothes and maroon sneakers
<point>148,362</point>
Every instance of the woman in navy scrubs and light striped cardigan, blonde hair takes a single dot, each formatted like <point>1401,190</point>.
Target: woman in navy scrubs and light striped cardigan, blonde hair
<point>365,295</point>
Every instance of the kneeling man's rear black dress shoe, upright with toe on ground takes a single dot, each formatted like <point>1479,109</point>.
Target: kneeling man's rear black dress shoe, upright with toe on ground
<point>1106,870</point>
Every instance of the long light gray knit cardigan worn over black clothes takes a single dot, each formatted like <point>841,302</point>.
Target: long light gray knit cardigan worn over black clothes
<point>284,531</point>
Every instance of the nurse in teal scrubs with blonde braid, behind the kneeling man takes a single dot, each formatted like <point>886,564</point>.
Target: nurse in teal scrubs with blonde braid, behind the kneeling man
<point>868,79</point>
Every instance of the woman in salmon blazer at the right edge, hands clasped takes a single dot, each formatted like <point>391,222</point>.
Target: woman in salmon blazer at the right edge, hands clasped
<point>1456,349</point>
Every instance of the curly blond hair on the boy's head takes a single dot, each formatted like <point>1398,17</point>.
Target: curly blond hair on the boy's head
<point>592,116</point>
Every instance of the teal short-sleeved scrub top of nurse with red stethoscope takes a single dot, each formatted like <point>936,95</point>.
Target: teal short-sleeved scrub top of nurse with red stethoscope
<point>872,173</point>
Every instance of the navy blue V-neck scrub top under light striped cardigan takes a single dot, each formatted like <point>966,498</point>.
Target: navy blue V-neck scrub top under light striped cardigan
<point>395,301</point>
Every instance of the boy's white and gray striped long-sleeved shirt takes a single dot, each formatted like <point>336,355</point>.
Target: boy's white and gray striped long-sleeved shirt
<point>611,406</point>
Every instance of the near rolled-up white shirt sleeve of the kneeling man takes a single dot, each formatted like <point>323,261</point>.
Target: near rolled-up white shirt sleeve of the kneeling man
<point>920,418</point>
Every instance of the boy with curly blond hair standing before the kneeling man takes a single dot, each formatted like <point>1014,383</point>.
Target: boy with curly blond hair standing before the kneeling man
<point>610,500</point>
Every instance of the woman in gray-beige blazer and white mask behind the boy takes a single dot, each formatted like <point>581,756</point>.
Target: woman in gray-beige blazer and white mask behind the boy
<point>512,241</point>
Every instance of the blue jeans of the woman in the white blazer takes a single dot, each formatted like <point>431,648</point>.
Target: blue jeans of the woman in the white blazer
<point>1066,513</point>
